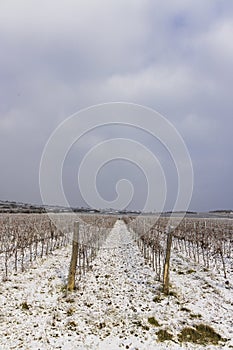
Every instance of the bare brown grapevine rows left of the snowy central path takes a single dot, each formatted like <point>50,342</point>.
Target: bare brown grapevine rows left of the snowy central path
<point>25,237</point>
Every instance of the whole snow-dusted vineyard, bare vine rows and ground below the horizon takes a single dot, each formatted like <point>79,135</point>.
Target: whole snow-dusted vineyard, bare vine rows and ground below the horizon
<point>118,301</point>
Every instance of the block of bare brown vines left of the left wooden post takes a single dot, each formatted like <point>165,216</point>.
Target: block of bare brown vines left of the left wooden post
<point>25,237</point>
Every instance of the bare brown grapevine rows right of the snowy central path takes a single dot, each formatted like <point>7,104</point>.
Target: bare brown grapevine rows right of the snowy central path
<point>207,242</point>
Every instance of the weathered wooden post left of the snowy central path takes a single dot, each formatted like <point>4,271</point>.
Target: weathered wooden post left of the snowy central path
<point>74,258</point>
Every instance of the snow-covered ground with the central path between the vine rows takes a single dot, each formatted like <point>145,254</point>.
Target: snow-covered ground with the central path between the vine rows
<point>113,302</point>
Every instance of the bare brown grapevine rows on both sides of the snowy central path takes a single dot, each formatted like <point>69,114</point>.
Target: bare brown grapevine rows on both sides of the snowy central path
<point>25,237</point>
